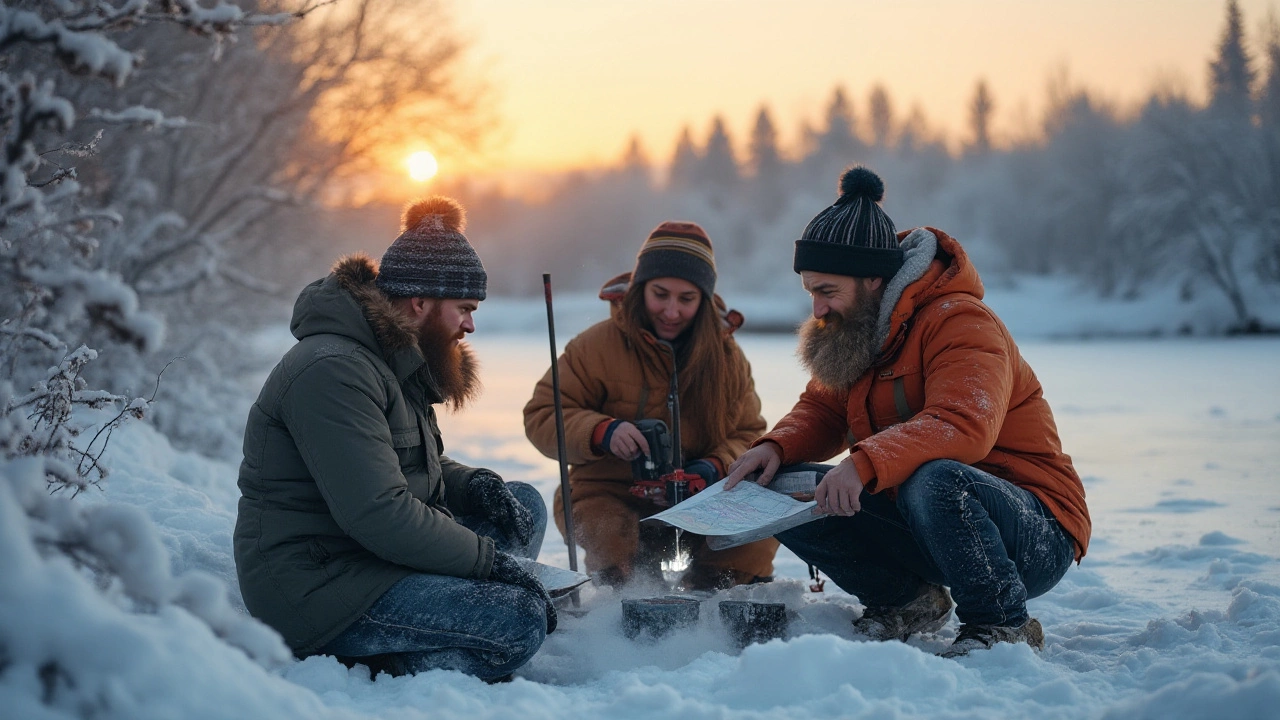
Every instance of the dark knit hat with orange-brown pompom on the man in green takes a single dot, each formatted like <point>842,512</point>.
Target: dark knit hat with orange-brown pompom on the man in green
<point>432,258</point>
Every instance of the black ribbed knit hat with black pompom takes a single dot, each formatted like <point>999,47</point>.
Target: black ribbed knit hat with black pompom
<point>854,236</point>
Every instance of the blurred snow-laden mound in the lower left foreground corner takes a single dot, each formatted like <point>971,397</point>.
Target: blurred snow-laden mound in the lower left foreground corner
<point>95,625</point>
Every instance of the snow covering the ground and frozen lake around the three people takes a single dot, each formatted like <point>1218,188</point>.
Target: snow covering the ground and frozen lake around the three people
<point>1176,612</point>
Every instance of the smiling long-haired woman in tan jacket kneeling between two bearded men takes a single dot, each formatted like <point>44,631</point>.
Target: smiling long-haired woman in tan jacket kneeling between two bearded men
<point>619,372</point>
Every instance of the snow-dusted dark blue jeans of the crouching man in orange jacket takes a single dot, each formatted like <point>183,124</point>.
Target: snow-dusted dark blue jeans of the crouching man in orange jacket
<point>994,544</point>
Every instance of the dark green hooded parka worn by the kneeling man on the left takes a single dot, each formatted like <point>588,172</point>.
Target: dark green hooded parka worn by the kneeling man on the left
<point>345,489</point>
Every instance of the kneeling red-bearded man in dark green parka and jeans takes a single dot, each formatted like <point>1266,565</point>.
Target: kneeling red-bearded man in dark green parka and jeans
<point>356,536</point>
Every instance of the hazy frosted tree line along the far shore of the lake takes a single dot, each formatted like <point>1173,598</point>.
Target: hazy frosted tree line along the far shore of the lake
<point>1172,194</point>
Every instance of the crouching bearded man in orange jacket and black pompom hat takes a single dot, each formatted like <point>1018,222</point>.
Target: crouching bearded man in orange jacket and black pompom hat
<point>956,477</point>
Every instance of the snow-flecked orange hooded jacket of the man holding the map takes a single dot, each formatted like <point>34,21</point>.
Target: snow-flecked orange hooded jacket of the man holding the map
<point>949,385</point>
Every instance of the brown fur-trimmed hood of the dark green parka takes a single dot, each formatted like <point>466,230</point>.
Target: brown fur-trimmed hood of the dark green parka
<point>349,304</point>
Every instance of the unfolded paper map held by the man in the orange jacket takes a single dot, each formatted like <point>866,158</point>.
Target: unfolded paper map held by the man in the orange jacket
<point>747,513</point>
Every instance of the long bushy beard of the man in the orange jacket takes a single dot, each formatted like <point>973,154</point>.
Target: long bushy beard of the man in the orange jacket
<point>838,350</point>
